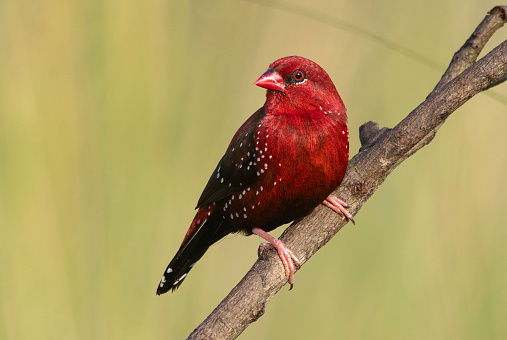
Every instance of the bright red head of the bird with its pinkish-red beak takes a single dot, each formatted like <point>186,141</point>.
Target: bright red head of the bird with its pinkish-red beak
<point>297,85</point>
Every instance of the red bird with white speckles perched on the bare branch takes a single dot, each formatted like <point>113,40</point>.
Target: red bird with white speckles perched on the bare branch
<point>284,161</point>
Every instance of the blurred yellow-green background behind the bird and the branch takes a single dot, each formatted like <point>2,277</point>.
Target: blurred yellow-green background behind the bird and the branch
<point>114,113</point>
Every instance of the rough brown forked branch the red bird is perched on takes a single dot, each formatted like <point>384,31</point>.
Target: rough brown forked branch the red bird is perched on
<point>382,151</point>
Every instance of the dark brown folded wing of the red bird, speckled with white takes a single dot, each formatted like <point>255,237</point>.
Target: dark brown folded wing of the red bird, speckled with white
<point>237,169</point>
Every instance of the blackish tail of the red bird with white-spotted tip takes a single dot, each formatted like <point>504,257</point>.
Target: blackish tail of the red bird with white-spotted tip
<point>206,229</point>
